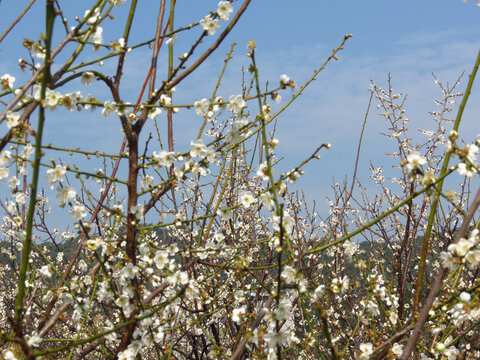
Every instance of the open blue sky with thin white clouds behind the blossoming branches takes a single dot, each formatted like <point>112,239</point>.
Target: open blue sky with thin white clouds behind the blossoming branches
<point>408,39</point>
